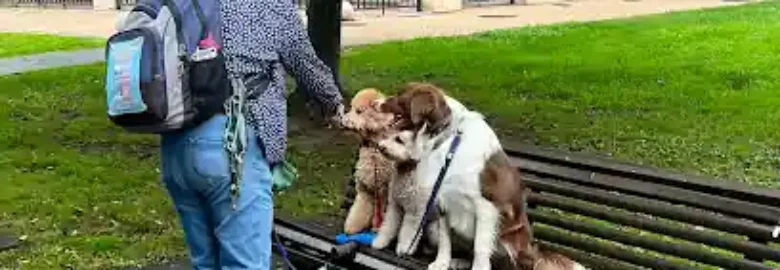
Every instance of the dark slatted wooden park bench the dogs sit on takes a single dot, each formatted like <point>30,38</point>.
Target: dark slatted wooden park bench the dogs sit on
<point>610,215</point>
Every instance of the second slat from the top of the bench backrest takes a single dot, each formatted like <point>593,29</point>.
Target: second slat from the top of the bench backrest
<point>764,214</point>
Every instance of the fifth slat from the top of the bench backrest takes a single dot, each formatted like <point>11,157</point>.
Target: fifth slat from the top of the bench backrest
<point>681,250</point>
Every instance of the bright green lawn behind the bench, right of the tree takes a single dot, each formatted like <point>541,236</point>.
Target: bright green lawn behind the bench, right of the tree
<point>693,91</point>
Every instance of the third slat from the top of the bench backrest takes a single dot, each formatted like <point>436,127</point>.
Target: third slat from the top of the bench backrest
<point>652,207</point>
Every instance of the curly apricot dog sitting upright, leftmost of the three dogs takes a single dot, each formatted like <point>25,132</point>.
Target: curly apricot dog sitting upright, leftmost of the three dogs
<point>373,170</point>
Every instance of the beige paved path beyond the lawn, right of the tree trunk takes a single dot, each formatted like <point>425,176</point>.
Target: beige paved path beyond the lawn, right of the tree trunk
<point>393,27</point>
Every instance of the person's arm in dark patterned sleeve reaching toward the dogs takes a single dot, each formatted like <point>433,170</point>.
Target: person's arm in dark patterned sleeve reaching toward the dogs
<point>300,60</point>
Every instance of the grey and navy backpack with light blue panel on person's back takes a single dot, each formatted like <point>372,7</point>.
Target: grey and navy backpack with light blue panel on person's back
<point>165,70</point>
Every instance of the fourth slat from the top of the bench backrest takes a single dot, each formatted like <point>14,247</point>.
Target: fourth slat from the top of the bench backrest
<point>652,225</point>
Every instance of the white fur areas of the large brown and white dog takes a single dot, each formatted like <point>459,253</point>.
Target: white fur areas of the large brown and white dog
<point>466,212</point>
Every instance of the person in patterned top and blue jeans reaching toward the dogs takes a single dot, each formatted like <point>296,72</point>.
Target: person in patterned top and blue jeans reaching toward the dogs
<point>262,40</point>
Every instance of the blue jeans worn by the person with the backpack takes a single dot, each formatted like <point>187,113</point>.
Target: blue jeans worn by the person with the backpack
<point>196,173</point>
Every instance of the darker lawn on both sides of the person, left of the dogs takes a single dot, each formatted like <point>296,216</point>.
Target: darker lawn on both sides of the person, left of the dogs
<point>87,195</point>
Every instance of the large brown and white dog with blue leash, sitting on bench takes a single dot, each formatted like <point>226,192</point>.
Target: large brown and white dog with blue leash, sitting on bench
<point>482,197</point>
